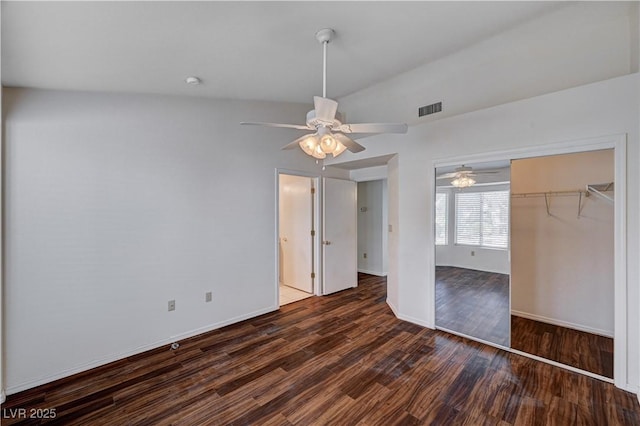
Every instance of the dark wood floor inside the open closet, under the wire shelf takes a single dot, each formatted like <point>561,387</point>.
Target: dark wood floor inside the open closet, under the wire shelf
<point>578,349</point>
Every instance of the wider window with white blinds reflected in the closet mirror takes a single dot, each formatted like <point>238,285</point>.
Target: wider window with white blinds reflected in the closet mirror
<point>482,219</point>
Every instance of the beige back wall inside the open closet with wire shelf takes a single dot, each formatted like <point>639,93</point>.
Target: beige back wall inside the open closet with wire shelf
<point>562,266</point>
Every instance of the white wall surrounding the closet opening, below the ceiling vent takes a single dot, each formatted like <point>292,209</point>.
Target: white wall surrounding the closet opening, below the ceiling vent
<point>561,116</point>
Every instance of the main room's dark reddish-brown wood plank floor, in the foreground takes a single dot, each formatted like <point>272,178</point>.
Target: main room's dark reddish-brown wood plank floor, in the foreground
<point>342,359</point>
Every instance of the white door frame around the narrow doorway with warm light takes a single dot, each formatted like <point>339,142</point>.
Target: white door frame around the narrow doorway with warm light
<point>317,251</point>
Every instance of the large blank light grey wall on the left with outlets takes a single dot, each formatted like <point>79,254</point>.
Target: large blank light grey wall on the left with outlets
<point>116,204</point>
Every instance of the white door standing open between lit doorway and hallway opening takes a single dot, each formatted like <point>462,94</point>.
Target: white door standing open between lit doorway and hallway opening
<point>339,242</point>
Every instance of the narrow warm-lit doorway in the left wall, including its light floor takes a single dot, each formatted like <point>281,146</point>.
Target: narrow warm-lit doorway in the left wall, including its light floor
<point>296,237</point>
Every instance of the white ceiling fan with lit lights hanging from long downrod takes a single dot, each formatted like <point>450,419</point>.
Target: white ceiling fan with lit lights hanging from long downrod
<point>329,133</point>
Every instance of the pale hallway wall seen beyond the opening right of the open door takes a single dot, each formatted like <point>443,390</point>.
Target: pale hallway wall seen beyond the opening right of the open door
<point>372,227</point>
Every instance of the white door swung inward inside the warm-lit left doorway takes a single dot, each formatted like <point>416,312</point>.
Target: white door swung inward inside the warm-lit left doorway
<point>295,225</point>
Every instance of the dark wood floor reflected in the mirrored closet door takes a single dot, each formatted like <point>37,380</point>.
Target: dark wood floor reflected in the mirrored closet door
<point>474,303</point>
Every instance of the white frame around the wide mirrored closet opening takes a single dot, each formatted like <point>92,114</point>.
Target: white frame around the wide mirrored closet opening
<point>618,143</point>
